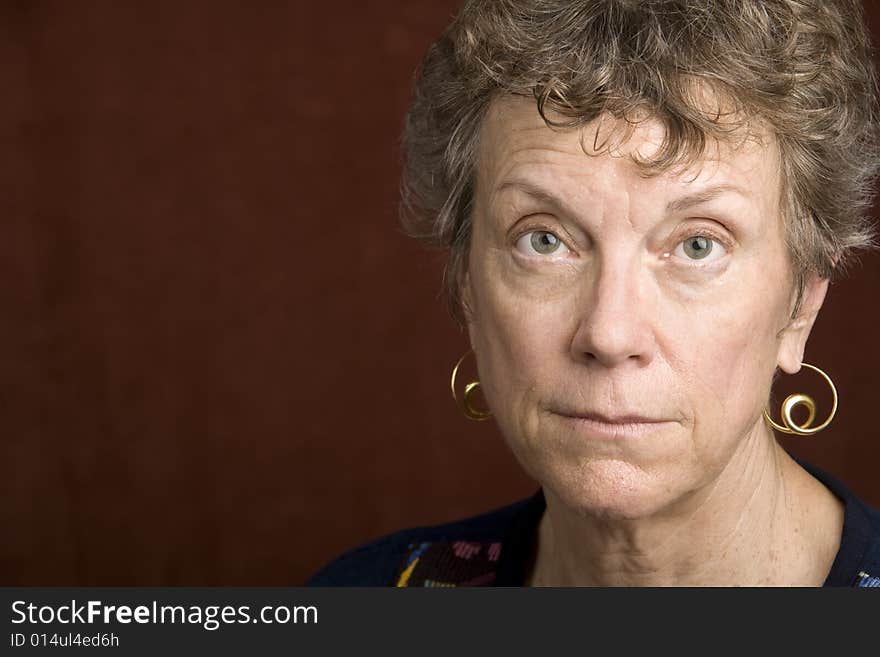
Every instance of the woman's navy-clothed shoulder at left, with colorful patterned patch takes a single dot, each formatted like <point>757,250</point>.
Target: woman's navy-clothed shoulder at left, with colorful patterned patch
<point>464,550</point>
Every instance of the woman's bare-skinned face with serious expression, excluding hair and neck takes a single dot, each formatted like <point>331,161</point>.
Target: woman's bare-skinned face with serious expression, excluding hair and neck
<point>626,327</point>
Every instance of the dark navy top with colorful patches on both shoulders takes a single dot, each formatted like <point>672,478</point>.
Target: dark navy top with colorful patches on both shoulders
<point>495,548</point>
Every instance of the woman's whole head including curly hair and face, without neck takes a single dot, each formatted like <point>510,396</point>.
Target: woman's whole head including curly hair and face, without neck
<point>643,203</point>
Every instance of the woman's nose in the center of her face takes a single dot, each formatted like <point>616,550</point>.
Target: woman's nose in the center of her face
<point>615,325</point>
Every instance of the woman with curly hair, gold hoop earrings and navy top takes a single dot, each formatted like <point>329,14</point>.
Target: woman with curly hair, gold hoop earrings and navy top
<point>643,204</point>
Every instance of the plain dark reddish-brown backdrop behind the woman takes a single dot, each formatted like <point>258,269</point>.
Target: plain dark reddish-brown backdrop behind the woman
<point>222,362</point>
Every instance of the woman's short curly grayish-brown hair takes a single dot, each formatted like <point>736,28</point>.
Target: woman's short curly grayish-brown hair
<point>802,68</point>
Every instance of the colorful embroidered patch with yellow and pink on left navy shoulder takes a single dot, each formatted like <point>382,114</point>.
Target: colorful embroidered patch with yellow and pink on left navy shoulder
<point>450,563</point>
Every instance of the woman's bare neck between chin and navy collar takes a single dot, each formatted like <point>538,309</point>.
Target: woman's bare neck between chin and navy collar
<point>762,521</point>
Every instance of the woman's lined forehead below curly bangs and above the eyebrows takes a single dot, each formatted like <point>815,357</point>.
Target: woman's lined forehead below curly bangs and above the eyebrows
<point>515,140</point>
